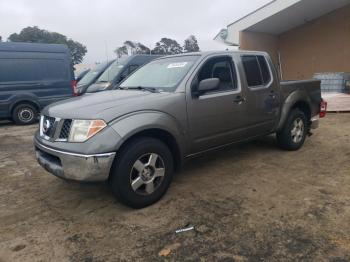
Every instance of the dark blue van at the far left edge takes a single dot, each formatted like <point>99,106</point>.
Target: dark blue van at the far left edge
<point>31,77</point>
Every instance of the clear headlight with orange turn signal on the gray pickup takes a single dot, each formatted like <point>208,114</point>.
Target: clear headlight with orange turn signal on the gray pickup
<point>82,130</point>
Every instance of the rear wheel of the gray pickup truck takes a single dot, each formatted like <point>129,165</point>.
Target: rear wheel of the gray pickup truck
<point>293,134</point>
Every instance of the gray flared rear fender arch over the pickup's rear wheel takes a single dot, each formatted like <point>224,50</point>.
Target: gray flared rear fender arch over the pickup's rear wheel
<point>291,100</point>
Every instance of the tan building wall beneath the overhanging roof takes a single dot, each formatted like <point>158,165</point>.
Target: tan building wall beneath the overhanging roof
<point>322,45</point>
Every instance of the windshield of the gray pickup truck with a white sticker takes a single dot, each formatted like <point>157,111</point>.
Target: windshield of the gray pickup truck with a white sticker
<point>163,74</point>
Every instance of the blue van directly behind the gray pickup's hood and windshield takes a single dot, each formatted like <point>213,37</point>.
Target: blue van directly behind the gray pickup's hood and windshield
<point>118,71</point>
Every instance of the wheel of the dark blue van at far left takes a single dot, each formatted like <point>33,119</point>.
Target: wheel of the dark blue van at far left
<point>24,114</point>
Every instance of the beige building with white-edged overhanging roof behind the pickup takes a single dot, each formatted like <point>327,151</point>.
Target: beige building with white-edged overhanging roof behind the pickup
<point>303,37</point>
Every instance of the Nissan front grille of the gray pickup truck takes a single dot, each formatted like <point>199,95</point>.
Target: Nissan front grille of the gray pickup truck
<point>52,128</point>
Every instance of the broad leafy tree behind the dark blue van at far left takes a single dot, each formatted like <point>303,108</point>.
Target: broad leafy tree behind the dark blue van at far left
<point>37,35</point>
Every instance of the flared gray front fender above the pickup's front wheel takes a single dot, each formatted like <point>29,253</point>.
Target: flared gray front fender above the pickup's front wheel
<point>131,124</point>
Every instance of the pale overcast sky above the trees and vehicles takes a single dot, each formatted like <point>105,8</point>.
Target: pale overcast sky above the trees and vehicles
<point>103,25</point>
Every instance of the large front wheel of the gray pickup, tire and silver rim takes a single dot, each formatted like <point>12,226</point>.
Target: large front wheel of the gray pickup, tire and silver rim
<point>142,172</point>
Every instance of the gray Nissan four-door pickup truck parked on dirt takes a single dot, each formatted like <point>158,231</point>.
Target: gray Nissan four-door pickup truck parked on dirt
<point>169,110</point>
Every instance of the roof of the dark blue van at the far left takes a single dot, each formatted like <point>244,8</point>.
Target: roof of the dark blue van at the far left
<point>33,47</point>
